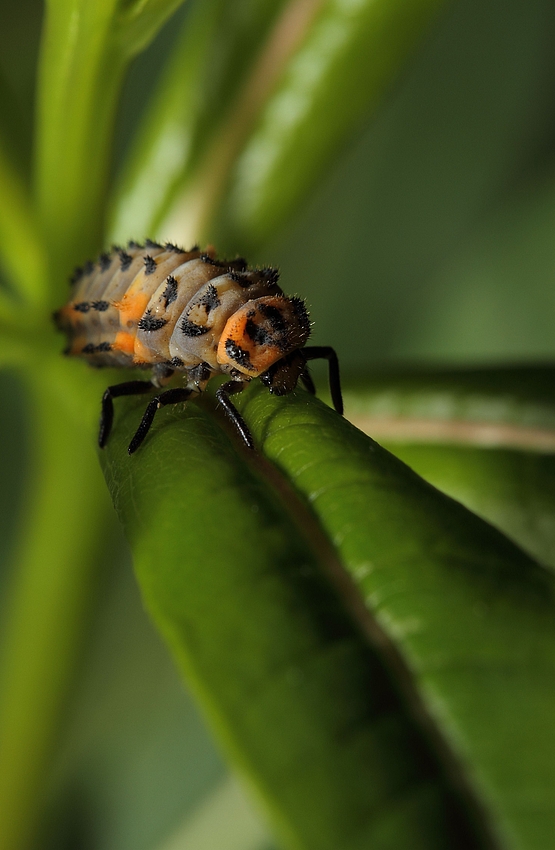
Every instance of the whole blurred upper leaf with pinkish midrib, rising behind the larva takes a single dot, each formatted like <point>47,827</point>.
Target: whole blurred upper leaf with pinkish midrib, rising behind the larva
<point>298,74</point>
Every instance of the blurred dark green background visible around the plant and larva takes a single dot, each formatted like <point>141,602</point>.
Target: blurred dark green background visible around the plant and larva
<point>430,239</point>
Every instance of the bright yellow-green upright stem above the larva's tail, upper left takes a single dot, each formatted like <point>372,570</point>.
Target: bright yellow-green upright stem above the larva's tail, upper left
<point>86,48</point>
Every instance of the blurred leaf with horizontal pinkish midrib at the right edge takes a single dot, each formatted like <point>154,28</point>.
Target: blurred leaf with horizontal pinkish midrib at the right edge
<point>484,436</point>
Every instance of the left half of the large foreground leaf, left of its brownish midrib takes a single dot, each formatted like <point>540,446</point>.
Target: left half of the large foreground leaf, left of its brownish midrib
<point>297,698</point>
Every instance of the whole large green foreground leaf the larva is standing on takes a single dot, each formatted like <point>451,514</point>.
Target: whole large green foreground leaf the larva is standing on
<point>280,629</point>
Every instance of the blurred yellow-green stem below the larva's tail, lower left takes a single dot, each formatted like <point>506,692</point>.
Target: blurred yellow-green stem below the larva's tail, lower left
<point>45,614</point>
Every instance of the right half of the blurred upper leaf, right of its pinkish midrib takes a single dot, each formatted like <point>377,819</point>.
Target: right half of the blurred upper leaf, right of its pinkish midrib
<point>348,59</point>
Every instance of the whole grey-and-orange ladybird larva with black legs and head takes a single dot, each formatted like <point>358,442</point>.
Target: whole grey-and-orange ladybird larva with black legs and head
<point>188,313</point>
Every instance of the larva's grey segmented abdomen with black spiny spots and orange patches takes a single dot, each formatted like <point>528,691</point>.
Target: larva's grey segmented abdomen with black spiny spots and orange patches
<point>151,304</point>
